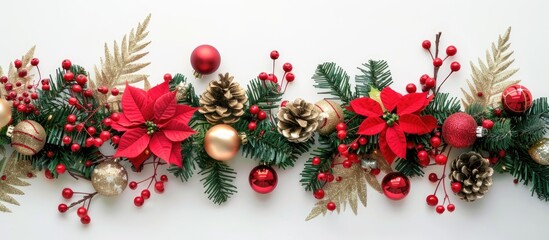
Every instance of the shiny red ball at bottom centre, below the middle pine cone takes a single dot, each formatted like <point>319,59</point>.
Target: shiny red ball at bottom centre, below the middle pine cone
<point>263,179</point>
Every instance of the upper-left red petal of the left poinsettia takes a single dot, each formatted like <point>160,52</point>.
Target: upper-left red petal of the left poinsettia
<point>133,101</point>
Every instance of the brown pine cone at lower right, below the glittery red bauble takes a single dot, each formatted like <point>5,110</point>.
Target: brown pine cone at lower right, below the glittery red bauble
<point>474,173</point>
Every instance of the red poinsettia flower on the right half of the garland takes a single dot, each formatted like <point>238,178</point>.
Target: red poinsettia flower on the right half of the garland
<point>395,116</point>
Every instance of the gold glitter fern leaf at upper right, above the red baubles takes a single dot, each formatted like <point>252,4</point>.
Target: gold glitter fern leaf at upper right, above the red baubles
<point>490,78</point>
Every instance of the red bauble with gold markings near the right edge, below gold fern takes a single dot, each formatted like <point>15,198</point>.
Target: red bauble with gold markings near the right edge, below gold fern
<point>516,99</point>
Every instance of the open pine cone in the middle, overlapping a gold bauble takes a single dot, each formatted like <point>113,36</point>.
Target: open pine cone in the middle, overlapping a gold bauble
<point>298,120</point>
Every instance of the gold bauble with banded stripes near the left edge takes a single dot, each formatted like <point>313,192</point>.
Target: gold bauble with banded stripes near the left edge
<point>27,137</point>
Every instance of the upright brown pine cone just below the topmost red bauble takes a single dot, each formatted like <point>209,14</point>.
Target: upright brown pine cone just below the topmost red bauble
<point>223,101</point>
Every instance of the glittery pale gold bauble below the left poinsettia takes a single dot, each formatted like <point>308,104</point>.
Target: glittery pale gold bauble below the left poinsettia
<point>109,178</point>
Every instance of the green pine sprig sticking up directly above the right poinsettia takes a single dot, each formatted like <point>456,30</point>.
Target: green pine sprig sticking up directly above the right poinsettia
<point>375,73</point>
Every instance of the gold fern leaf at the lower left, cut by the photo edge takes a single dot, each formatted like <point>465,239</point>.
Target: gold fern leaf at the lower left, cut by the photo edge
<point>13,169</point>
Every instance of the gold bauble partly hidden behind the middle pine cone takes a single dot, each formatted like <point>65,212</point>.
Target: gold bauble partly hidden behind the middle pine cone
<point>331,114</point>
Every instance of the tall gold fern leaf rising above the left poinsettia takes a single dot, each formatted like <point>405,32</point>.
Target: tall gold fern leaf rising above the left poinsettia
<point>122,64</point>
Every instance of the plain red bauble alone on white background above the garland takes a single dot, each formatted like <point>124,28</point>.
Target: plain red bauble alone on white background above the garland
<point>205,59</point>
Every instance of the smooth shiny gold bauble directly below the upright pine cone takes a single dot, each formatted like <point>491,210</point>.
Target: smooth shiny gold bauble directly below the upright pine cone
<point>222,142</point>
